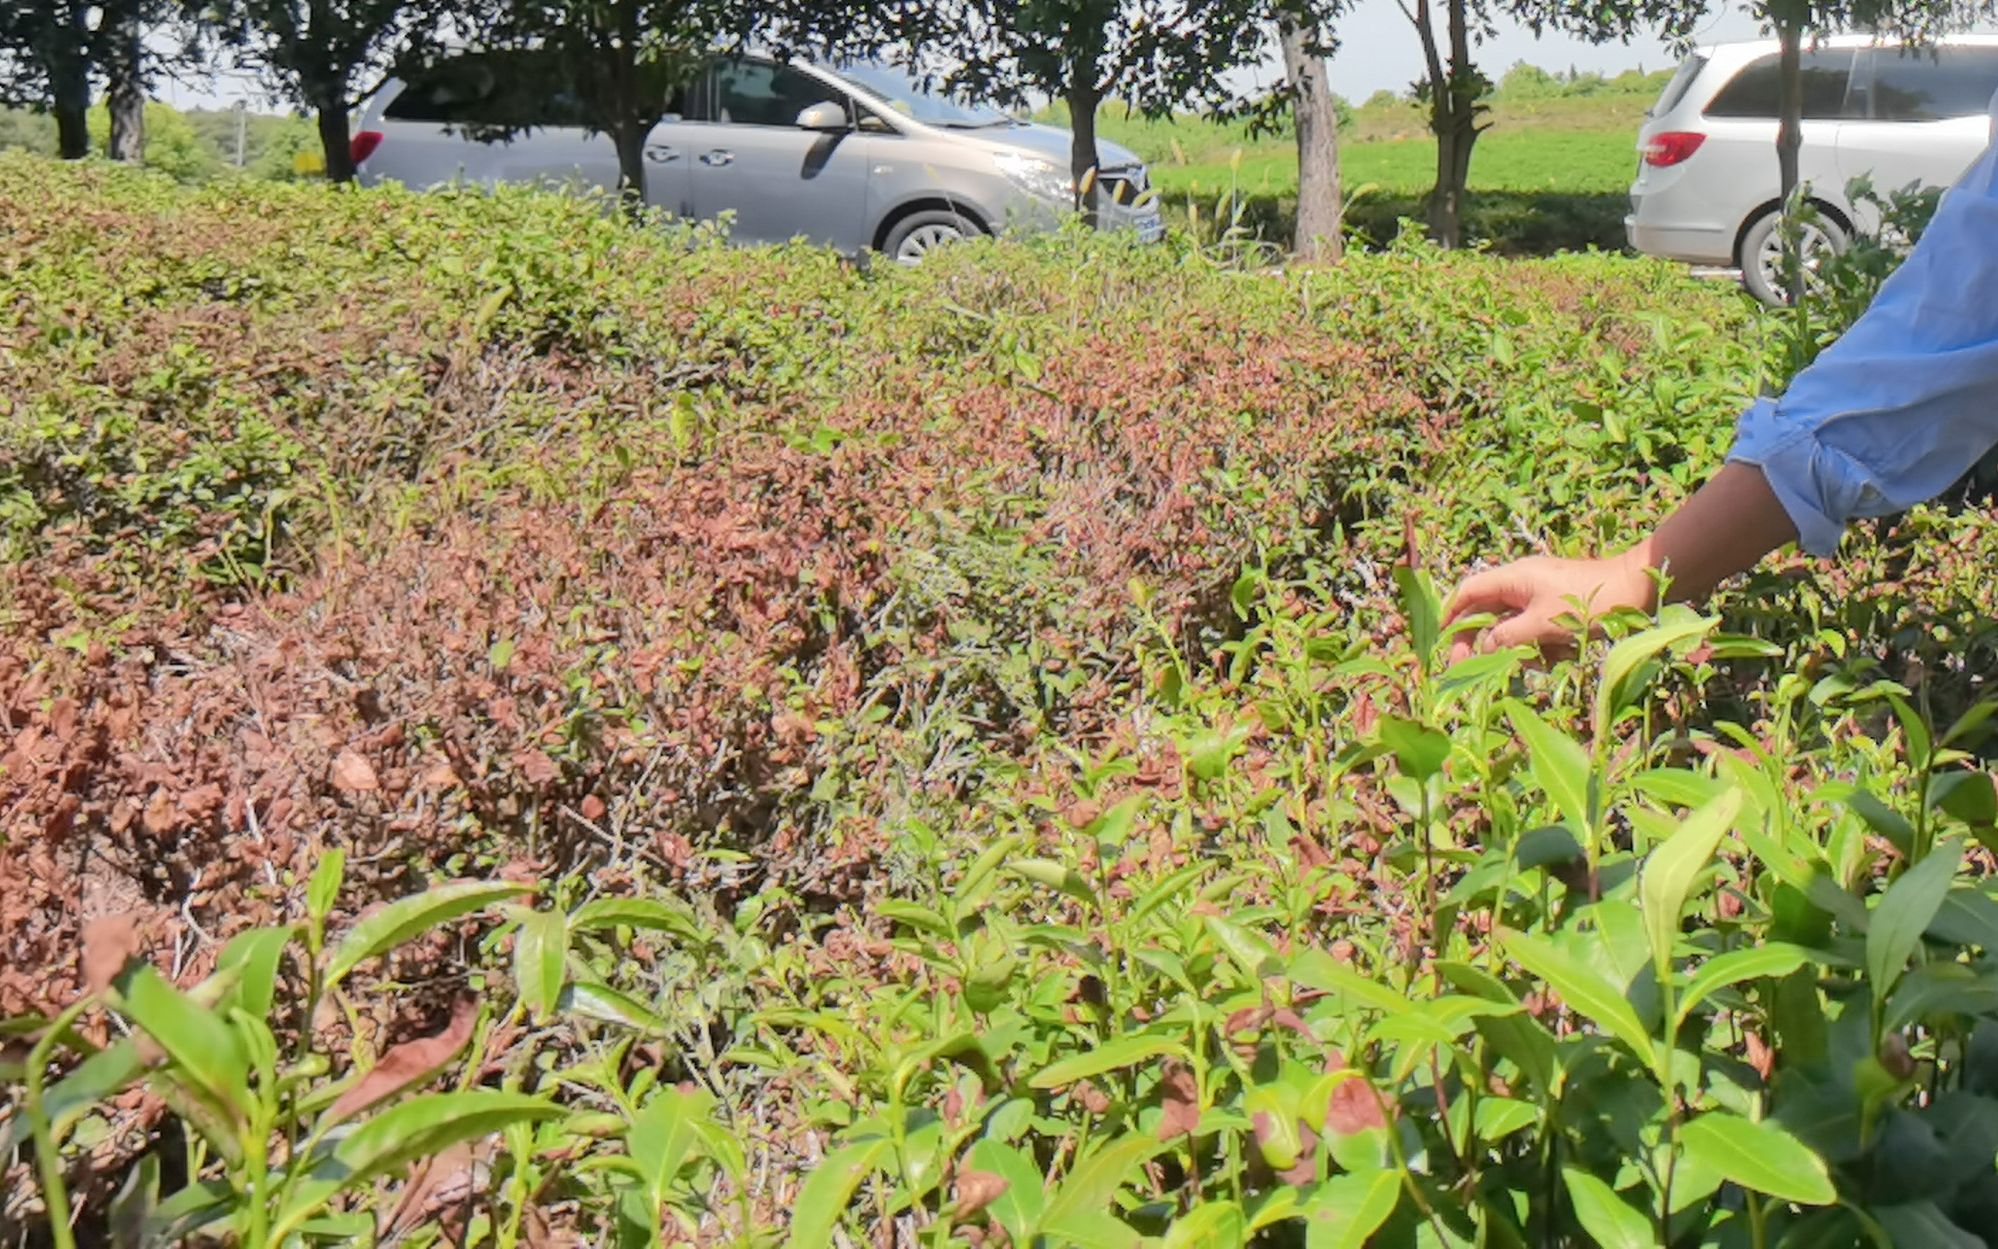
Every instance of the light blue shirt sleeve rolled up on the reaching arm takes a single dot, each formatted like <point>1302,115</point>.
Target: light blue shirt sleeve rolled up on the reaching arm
<point>1907,401</point>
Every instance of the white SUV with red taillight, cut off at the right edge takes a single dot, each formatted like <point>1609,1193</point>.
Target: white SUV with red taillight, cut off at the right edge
<point>1707,181</point>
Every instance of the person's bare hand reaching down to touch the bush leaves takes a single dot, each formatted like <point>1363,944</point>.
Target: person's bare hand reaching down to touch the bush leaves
<point>1533,597</point>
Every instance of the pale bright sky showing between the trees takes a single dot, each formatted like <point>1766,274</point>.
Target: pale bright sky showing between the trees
<point>1378,49</point>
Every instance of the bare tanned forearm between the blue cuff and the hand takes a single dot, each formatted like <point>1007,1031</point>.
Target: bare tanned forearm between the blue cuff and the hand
<point>1725,529</point>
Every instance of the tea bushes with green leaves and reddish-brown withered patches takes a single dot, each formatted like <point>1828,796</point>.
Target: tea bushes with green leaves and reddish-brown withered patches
<point>522,728</point>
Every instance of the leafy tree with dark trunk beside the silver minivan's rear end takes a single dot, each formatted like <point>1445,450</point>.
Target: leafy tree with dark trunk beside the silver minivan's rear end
<point>327,57</point>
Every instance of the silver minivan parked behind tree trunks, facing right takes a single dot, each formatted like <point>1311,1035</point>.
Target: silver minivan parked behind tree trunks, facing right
<point>854,159</point>
